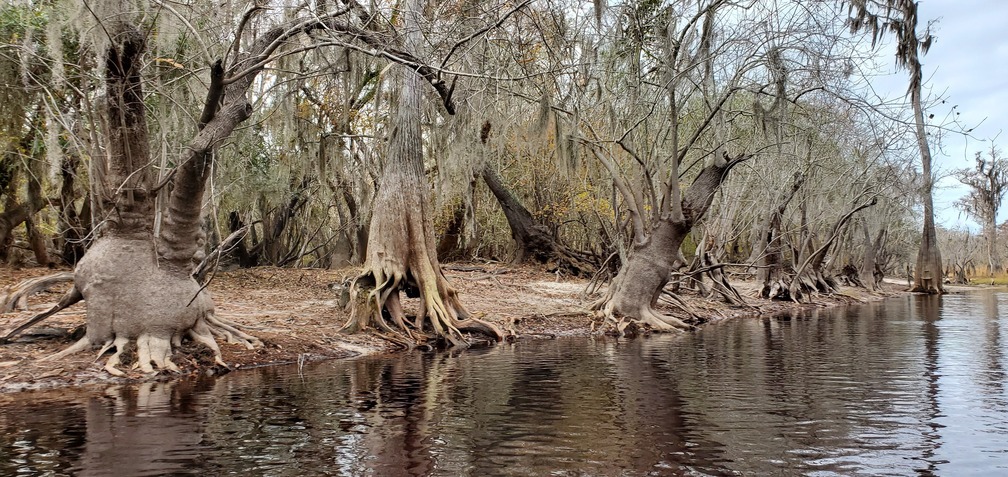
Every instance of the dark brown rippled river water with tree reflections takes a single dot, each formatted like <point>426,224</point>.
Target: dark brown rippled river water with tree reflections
<point>907,387</point>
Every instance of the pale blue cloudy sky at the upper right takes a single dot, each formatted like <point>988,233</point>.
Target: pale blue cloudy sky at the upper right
<point>968,67</point>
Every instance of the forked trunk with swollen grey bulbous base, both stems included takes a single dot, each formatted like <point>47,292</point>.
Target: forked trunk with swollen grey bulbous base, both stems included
<point>139,288</point>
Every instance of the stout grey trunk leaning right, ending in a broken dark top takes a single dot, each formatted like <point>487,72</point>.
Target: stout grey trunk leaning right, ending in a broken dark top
<point>636,290</point>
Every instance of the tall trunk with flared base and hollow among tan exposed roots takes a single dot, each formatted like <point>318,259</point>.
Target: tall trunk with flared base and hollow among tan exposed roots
<point>402,251</point>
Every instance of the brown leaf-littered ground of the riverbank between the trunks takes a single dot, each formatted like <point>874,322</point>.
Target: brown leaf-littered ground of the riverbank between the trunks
<point>297,315</point>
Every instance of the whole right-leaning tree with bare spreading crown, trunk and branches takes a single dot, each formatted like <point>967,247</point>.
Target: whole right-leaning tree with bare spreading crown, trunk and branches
<point>686,66</point>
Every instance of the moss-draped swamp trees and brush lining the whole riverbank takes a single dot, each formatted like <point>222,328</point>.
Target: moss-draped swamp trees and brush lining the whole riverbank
<point>649,147</point>
